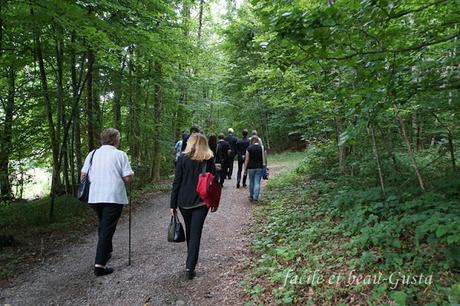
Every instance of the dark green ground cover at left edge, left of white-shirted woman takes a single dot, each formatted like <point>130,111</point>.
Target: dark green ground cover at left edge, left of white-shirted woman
<point>27,222</point>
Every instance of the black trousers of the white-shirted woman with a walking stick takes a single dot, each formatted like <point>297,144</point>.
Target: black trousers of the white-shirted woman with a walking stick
<point>108,215</point>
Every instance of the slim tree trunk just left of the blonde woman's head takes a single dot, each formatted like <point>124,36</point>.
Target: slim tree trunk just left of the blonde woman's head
<point>157,123</point>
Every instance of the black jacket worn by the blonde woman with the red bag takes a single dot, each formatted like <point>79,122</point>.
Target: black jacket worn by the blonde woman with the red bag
<point>185,181</point>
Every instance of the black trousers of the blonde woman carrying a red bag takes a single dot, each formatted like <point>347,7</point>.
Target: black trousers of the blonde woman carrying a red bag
<point>194,220</point>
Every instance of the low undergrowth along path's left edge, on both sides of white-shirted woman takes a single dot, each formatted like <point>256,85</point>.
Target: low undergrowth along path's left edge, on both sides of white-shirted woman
<point>27,232</point>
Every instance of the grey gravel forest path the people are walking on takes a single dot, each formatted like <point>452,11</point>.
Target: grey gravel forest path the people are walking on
<point>156,275</point>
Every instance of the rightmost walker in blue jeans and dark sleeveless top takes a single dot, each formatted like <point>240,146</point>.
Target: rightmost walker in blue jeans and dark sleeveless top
<point>253,165</point>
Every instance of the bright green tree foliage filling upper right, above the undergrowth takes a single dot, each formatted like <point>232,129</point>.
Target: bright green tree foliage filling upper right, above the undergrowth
<point>370,76</point>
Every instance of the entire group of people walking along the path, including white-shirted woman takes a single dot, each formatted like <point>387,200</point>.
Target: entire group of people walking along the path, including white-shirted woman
<point>108,170</point>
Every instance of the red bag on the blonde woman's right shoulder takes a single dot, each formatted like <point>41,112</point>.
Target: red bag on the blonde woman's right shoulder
<point>208,188</point>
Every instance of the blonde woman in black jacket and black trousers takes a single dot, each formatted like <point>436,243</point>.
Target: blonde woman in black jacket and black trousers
<point>184,195</point>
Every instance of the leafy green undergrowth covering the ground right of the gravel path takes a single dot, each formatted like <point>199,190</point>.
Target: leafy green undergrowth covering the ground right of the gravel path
<point>329,239</point>
